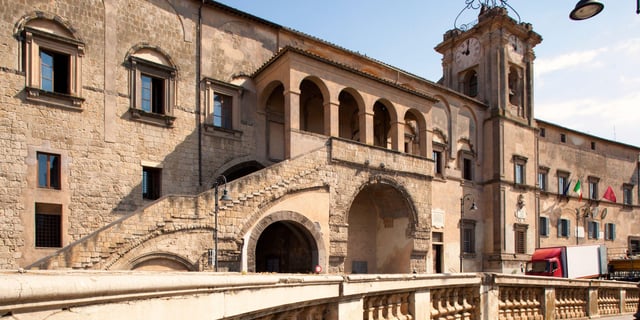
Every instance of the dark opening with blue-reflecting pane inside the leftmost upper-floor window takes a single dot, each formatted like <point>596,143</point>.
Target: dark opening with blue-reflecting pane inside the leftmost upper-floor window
<point>54,71</point>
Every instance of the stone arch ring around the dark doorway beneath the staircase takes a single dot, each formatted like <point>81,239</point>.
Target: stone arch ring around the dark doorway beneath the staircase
<point>306,226</point>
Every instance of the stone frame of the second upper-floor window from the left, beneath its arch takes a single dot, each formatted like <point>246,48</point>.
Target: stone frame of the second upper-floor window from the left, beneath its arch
<point>140,68</point>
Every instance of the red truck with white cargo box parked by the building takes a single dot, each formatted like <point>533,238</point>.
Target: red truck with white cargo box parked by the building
<point>569,262</point>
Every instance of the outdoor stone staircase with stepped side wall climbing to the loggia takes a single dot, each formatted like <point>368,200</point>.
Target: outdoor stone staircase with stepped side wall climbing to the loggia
<point>176,213</point>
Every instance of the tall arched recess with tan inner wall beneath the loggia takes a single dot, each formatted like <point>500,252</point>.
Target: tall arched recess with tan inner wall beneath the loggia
<point>383,241</point>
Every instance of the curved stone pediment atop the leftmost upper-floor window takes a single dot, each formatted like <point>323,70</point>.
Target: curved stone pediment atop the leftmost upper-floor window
<point>46,22</point>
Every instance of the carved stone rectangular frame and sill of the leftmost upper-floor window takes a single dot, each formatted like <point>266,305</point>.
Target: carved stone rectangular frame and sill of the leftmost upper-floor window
<point>37,41</point>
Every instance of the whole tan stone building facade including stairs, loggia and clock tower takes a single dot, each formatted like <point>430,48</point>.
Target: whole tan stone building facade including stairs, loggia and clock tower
<point>124,122</point>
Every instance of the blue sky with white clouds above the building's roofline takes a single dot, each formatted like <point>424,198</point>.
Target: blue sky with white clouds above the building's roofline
<point>587,73</point>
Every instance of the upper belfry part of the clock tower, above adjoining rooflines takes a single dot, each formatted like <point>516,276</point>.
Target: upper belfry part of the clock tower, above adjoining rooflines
<point>493,62</point>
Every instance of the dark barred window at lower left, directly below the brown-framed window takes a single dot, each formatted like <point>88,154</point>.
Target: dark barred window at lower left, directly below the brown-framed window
<point>48,229</point>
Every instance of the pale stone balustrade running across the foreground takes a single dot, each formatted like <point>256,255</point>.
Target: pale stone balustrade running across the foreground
<point>202,295</point>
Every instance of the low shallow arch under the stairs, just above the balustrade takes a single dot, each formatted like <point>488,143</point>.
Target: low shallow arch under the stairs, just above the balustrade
<point>162,261</point>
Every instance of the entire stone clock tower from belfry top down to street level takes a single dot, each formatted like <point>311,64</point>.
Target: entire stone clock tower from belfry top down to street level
<point>491,65</point>
